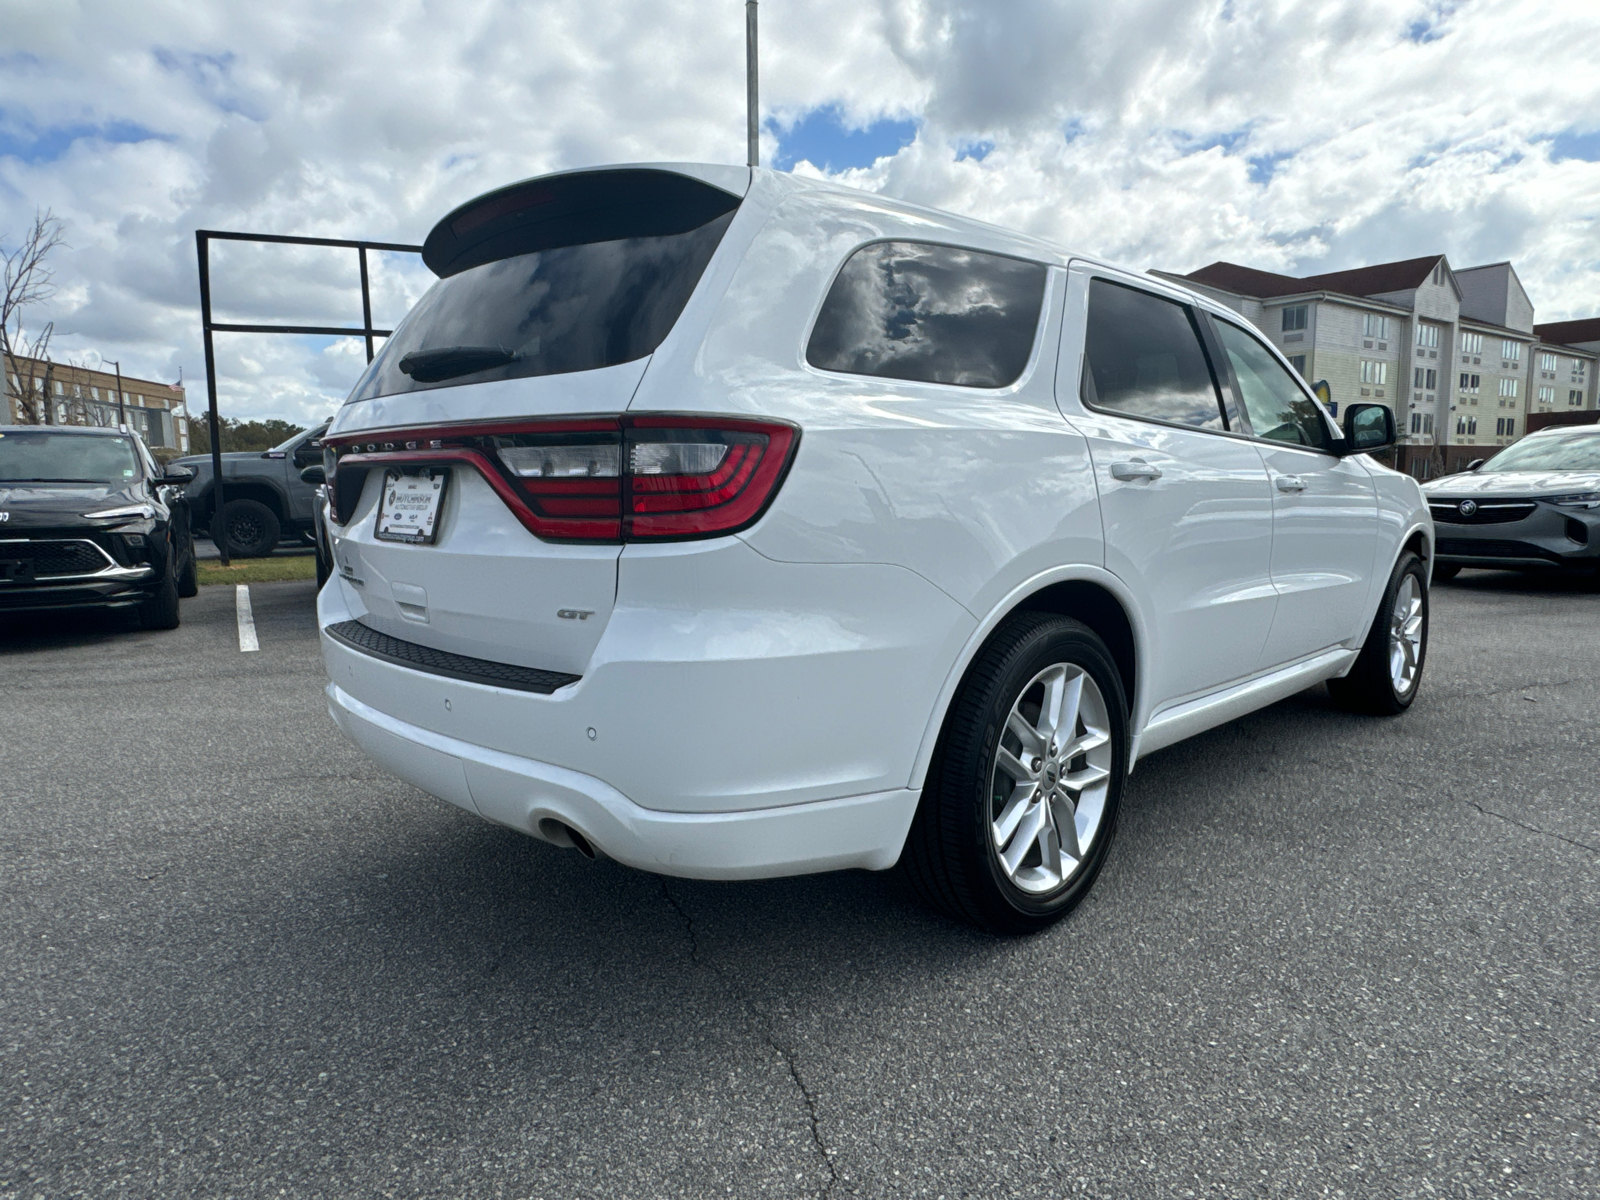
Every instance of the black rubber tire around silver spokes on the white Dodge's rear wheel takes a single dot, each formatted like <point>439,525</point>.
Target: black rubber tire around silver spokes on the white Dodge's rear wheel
<point>951,857</point>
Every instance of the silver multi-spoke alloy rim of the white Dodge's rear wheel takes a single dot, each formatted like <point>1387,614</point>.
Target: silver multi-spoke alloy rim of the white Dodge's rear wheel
<point>1050,778</point>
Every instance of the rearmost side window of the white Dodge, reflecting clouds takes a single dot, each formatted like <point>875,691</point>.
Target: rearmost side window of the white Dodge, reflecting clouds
<point>930,314</point>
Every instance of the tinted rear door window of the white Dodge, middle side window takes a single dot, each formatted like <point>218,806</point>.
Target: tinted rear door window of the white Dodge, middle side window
<point>1142,358</point>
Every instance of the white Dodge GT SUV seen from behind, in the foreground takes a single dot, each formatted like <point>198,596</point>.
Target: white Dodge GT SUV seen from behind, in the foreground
<point>734,526</point>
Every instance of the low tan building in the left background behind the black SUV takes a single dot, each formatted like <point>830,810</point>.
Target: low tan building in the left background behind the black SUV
<point>57,394</point>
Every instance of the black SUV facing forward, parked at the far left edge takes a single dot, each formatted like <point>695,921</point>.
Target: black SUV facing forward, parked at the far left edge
<point>90,521</point>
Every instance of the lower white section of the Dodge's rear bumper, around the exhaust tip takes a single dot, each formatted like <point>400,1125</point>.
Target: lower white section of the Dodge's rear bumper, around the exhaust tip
<point>863,831</point>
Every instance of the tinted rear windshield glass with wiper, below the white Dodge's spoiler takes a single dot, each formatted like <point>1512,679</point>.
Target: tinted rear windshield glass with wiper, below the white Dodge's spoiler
<point>553,311</point>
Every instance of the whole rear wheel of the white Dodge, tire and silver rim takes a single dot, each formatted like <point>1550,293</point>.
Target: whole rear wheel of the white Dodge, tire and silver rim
<point>1022,804</point>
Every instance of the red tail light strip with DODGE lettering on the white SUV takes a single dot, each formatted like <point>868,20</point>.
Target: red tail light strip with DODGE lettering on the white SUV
<point>612,479</point>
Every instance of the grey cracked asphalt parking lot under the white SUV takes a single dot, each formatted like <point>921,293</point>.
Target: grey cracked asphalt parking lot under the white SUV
<point>1329,956</point>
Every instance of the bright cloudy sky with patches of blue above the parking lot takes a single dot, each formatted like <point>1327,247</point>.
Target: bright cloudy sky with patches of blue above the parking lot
<point>1159,134</point>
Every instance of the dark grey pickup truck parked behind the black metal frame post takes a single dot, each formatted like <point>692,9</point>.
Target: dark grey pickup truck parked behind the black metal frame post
<point>263,492</point>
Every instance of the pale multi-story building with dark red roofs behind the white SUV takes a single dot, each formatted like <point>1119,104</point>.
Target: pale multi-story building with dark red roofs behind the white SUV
<point>1454,353</point>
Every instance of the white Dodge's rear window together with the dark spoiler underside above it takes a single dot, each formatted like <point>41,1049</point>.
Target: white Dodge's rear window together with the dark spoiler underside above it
<point>569,274</point>
